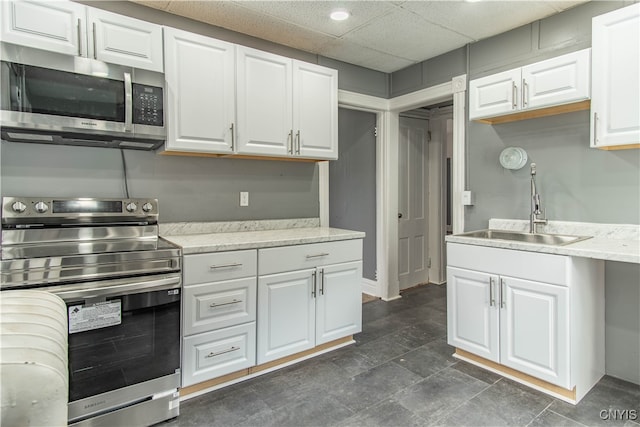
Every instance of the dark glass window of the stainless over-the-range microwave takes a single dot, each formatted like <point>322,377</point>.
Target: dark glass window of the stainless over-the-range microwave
<point>46,91</point>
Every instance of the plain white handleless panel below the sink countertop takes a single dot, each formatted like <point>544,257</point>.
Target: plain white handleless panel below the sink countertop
<point>547,268</point>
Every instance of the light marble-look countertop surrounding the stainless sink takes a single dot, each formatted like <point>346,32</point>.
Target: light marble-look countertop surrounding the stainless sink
<point>610,242</point>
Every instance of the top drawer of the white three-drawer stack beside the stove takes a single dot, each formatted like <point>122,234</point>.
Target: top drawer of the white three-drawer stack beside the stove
<point>213,267</point>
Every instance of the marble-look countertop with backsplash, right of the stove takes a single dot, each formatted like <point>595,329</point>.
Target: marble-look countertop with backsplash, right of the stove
<point>239,235</point>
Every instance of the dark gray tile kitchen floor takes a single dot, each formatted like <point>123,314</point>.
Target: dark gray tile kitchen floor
<point>400,373</point>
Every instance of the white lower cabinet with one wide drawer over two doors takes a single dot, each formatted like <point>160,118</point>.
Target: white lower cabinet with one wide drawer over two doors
<point>307,296</point>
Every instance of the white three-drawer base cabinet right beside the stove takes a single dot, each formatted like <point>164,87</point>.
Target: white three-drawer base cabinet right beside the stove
<point>219,314</point>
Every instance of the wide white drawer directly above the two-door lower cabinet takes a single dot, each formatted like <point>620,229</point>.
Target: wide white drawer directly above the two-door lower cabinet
<point>298,257</point>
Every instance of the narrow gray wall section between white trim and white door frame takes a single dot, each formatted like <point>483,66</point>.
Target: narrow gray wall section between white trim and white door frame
<point>352,182</point>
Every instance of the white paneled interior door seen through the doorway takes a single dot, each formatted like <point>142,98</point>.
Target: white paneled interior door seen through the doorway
<point>412,202</point>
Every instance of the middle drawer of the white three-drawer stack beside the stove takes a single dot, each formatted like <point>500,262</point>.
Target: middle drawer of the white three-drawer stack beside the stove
<point>218,305</point>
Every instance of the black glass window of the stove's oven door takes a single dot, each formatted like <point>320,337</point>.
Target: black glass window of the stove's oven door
<point>144,346</point>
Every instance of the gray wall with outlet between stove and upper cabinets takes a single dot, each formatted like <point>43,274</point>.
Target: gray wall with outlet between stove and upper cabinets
<point>188,188</point>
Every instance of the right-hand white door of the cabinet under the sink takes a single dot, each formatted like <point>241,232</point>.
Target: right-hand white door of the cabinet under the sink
<point>534,326</point>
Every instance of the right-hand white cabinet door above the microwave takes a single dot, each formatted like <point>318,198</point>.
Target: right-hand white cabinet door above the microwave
<point>123,40</point>
